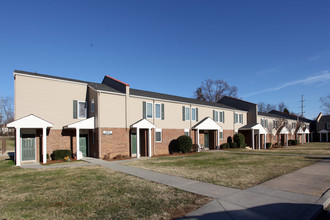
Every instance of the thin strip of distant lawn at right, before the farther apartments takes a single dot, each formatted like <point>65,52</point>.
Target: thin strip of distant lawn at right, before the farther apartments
<point>314,148</point>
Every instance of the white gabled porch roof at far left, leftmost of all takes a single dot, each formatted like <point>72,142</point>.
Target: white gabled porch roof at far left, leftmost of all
<point>30,121</point>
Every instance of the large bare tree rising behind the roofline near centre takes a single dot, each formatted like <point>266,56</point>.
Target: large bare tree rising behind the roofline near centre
<point>213,90</point>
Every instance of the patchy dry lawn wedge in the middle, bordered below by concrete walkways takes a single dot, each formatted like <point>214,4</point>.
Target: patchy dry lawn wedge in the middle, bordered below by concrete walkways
<point>226,169</point>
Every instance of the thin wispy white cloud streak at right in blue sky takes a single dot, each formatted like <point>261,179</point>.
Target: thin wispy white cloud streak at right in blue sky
<point>321,78</point>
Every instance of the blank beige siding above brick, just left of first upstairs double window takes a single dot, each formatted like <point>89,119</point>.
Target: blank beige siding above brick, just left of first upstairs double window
<point>112,110</point>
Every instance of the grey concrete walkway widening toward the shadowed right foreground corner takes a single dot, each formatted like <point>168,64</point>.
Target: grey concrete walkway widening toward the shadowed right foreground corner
<point>281,198</point>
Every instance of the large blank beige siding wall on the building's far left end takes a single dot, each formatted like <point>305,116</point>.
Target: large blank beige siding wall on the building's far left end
<point>51,100</point>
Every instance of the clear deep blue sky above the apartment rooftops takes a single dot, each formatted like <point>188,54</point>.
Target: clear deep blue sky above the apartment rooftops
<point>272,51</point>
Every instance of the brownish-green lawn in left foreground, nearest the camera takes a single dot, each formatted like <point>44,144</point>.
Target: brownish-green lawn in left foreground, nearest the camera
<point>88,192</point>
